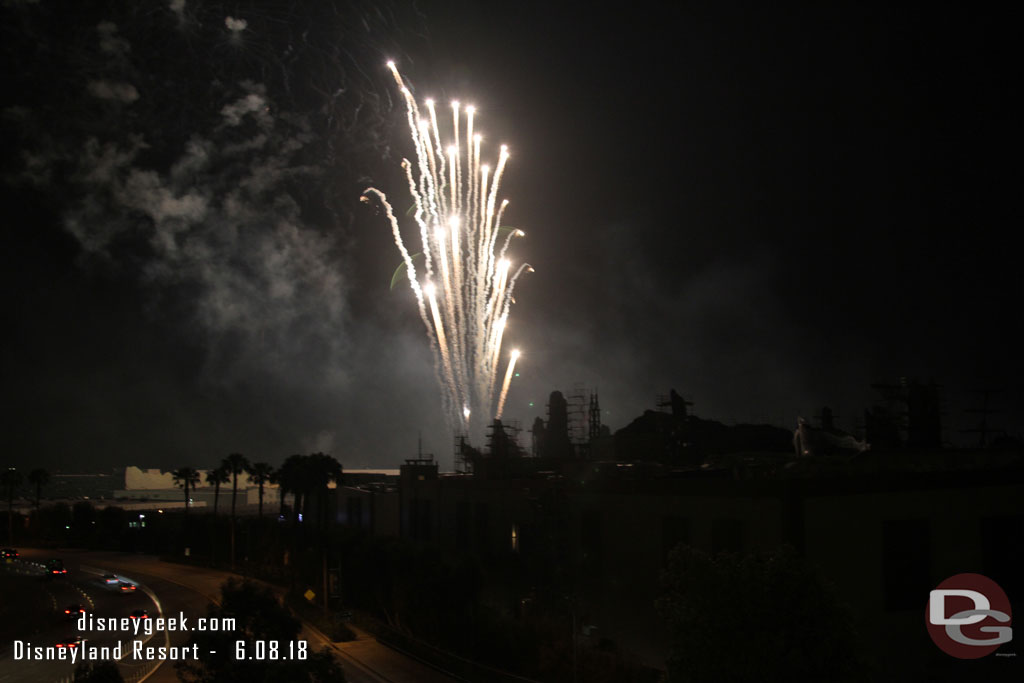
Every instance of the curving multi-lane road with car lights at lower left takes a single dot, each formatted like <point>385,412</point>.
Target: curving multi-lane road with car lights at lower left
<point>169,589</point>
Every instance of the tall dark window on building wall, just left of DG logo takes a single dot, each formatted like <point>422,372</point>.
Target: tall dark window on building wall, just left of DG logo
<point>906,564</point>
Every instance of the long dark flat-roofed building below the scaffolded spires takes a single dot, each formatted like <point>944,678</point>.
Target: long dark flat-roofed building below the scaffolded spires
<point>877,527</point>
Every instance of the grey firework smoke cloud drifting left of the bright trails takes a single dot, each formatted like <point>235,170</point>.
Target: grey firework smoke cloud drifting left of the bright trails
<point>207,177</point>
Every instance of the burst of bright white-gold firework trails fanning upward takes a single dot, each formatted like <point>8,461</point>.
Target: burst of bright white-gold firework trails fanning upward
<point>465,284</point>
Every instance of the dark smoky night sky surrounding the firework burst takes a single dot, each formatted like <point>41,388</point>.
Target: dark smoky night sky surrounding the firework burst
<point>766,209</point>
